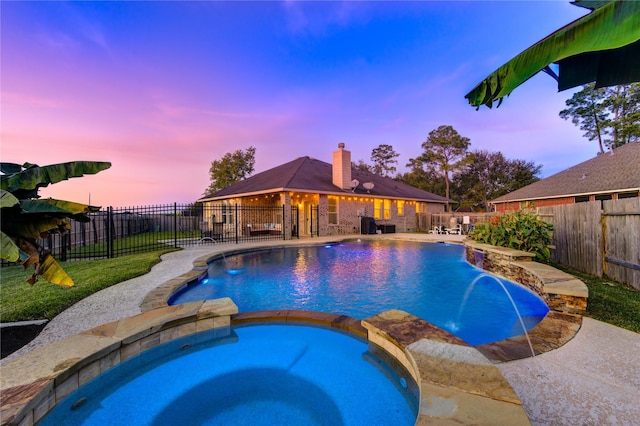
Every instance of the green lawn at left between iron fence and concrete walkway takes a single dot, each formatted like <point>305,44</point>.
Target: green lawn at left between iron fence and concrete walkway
<point>21,302</point>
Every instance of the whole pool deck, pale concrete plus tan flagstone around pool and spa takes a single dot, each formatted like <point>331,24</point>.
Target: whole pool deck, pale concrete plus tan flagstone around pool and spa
<point>586,373</point>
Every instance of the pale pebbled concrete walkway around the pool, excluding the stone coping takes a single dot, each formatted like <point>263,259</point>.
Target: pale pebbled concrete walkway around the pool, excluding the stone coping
<point>592,380</point>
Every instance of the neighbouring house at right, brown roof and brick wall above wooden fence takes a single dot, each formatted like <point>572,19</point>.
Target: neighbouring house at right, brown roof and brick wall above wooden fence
<point>609,176</point>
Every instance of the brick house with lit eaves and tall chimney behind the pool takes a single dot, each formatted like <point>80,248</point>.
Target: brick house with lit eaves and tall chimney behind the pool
<point>307,196</point>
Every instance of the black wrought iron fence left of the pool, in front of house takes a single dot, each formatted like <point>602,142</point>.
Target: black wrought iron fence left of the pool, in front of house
<point>116,232</point>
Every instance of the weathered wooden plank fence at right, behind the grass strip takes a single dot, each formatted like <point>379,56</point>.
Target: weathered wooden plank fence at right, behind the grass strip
<point>600,238</point>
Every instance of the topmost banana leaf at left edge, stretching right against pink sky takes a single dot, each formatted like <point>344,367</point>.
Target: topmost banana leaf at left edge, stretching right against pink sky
<point>34,177</point>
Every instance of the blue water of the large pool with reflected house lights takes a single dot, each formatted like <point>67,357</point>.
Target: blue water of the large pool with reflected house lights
<point>431,281</point>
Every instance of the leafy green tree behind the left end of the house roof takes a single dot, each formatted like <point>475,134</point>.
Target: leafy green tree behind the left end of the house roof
<point>230,169</point>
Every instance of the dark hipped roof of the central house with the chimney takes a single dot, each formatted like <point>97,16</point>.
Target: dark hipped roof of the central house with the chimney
<point>310,175</point>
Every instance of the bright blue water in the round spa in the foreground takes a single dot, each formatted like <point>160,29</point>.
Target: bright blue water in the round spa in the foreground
<point>261,375</point>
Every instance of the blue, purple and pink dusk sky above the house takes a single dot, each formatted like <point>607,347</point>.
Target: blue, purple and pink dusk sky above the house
<point>161,89</point>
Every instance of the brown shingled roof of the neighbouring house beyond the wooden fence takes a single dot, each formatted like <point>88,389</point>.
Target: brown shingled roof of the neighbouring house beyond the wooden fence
<point>613,171</point>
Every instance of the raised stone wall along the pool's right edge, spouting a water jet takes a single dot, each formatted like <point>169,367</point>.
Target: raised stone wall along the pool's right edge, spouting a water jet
<point>561,291</point>
